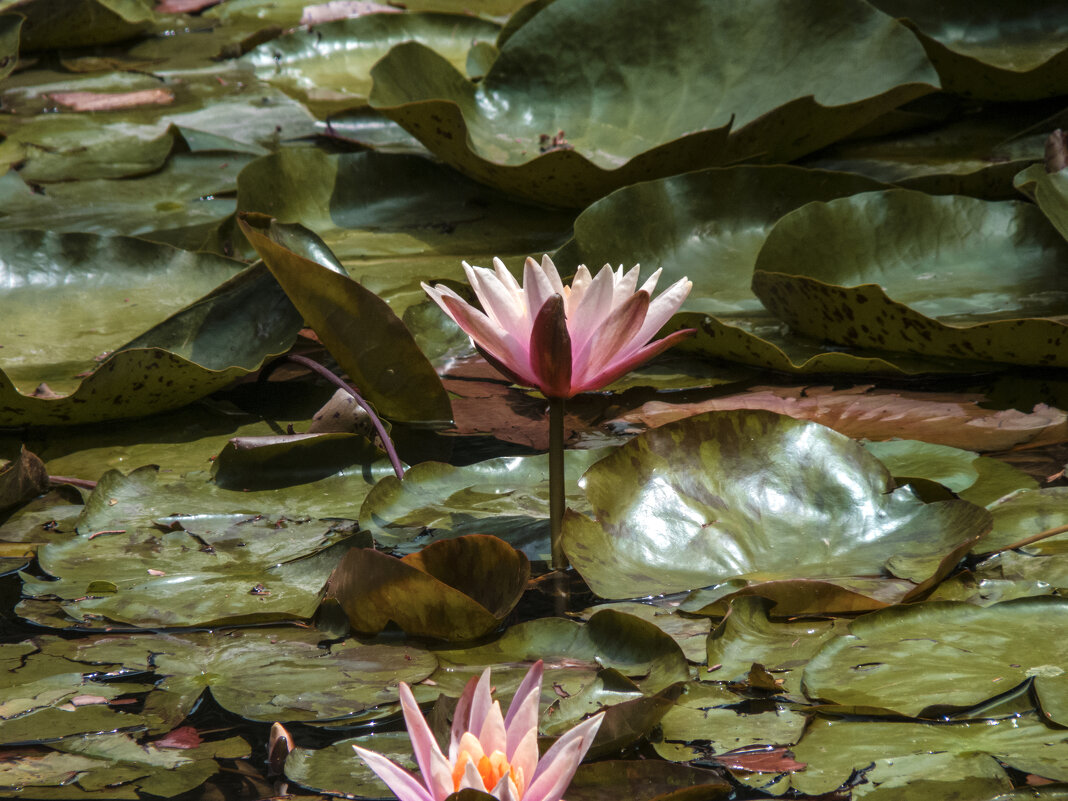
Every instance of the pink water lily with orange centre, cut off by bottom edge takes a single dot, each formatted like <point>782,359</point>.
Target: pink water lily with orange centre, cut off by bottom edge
<point>488,751</point>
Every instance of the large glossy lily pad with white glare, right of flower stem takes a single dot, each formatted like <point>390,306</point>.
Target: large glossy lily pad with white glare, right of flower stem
<point>747,495</point>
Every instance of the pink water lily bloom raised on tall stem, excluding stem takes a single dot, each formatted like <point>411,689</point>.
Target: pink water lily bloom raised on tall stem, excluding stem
<point>564,340</point>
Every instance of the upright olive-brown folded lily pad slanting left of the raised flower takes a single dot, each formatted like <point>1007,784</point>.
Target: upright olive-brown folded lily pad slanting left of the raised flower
<point>368,339</point>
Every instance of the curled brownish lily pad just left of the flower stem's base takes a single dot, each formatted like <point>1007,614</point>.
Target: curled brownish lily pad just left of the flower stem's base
<point>456,590</point>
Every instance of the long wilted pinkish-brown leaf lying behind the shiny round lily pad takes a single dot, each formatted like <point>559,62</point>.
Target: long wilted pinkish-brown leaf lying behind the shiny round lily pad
<point>944,419</point>
